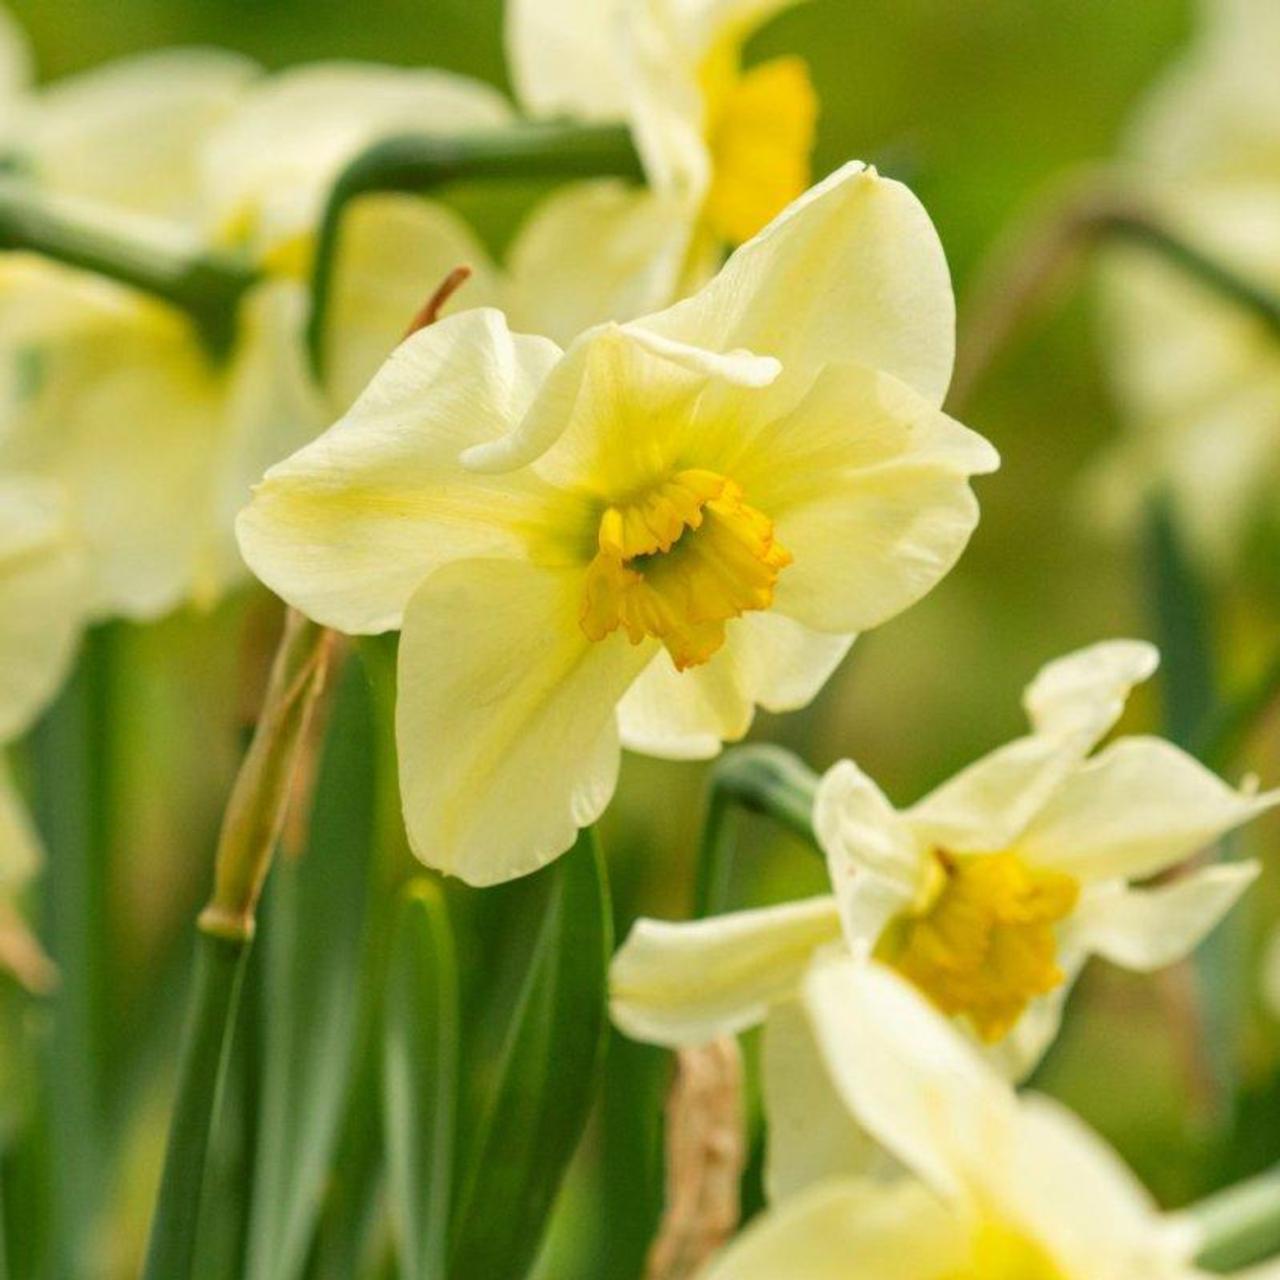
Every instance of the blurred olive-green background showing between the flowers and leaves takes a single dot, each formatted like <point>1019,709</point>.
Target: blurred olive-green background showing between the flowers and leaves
<point>980,106</point>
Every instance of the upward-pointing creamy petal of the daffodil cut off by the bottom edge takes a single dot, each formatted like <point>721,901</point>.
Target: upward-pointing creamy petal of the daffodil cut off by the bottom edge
<point>906,1073</point>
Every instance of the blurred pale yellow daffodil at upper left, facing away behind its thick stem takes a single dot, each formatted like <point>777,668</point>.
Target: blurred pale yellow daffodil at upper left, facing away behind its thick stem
<point>112,394</point>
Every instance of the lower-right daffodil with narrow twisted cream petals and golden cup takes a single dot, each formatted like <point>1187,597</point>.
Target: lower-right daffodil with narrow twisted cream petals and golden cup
<point>989,895</point>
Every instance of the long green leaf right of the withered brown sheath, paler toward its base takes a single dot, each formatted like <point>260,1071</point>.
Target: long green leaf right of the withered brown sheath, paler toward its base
<point>310,1032</point>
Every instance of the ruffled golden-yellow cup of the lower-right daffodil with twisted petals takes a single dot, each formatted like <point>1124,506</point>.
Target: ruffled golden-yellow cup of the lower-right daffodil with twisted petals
<point>986,945</point>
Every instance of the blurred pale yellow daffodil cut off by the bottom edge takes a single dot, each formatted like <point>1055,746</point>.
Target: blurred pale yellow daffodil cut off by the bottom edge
<point>995,1187</point>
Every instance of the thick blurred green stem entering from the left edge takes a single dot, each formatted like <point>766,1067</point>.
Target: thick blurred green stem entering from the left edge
<point>208,286</point>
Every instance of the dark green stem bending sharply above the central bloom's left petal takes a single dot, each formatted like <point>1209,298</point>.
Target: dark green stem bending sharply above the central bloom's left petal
<point>422,164</point>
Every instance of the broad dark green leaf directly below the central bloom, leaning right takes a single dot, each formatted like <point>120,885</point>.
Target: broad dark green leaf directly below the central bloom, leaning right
<point>547,1081</point>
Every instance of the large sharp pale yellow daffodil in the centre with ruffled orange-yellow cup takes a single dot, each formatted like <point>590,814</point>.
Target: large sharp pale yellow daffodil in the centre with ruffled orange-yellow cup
<point>642,538</point>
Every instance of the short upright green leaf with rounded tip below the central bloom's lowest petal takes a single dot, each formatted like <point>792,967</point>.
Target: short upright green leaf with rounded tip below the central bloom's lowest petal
<point>420,1078</point>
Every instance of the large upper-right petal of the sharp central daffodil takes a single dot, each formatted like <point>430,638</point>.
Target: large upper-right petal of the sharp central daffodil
<point>851,272</point>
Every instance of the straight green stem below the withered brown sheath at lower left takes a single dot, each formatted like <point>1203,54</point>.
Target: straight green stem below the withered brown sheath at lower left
<point>220,970</point>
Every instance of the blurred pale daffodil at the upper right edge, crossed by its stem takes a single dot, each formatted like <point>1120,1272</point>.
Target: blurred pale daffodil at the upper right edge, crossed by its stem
<point>1197,377</point>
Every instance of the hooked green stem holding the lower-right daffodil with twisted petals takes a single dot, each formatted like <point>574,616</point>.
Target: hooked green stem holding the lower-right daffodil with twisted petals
<point>765,780</point>
